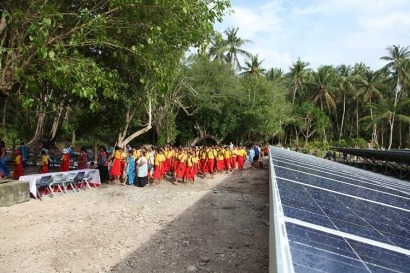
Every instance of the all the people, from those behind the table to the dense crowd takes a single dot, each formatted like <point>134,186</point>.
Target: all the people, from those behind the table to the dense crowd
<point>148,165</point>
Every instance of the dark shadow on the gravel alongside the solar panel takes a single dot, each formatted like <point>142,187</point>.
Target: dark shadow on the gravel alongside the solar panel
<point>225,231</point>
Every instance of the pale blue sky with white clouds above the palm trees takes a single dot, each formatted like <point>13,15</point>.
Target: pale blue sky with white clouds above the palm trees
<point>321,32</point>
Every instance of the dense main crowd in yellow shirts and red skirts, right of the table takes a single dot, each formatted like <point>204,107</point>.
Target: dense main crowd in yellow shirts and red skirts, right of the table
<point>181,165</point>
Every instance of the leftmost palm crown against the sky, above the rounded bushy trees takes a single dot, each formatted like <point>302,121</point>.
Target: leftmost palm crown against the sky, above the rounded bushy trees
<point>230,48</point>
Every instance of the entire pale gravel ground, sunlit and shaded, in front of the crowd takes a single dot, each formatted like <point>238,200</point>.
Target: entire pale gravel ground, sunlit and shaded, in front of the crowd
<point>213,225</point>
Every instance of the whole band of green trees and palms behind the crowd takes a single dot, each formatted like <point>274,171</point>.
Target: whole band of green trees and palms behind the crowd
<point>116,72</point>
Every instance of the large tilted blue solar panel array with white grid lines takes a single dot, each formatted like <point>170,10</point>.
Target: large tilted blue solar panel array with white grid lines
<point>337,218</point>
